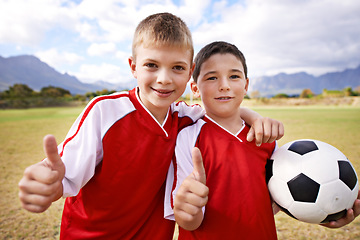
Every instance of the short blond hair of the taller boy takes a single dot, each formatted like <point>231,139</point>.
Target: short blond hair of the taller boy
<point>163,29</point>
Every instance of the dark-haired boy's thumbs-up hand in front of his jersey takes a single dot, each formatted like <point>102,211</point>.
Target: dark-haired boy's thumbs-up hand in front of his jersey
<point>192,195</point>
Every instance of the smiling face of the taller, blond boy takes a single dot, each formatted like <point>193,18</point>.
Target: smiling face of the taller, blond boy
<point>162,74</point>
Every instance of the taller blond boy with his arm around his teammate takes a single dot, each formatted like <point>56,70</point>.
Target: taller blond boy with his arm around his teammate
<point>118,151</point>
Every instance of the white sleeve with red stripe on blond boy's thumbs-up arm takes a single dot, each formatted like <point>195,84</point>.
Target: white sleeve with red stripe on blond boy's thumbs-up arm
<point>82,149</point>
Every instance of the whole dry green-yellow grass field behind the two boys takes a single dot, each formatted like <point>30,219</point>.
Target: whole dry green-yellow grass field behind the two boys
<point>21,145</point>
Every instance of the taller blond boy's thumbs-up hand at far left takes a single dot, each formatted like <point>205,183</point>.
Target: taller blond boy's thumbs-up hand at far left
<point>42,182</point>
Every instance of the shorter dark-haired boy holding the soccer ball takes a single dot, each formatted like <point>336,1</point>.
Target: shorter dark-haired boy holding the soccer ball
<point>220,192</point>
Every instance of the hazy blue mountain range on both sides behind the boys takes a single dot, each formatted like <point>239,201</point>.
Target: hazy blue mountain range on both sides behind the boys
<point>29,70</point>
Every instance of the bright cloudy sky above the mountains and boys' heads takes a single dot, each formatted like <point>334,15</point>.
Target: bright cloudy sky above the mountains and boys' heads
<point>91,39</point>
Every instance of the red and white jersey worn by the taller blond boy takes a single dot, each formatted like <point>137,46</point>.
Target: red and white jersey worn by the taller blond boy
<point>116,157</point>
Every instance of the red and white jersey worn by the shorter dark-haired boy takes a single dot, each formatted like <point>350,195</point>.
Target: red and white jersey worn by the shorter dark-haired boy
<point>239,205</point>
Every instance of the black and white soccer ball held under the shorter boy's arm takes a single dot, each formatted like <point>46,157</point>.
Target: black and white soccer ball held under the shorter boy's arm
<point>312,181</point>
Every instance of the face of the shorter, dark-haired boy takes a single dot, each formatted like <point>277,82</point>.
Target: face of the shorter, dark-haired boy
<point>221,85</point>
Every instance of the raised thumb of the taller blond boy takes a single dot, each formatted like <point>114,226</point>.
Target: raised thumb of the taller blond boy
<point>53,158</point>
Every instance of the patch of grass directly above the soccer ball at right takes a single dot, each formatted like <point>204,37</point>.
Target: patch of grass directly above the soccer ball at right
<point>338,126</point>
